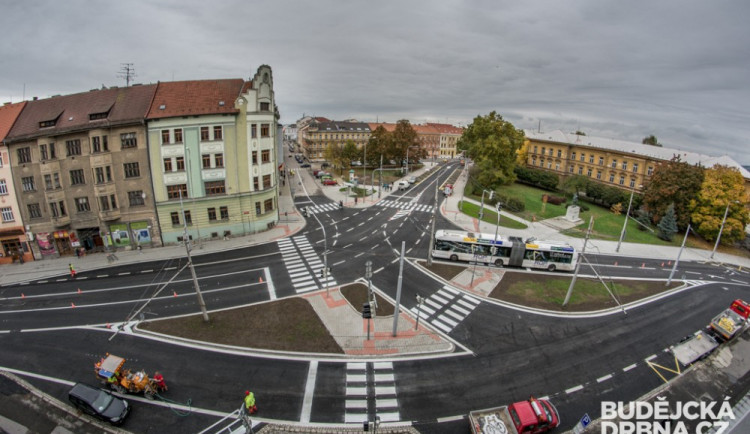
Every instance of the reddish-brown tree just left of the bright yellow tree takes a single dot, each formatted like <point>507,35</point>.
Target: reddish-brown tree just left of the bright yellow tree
<point>675,182</point>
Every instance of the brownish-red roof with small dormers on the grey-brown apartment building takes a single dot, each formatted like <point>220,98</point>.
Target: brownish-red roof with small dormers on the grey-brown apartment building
<point>118,106</point>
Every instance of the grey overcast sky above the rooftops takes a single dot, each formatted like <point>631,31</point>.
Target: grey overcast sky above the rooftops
<point>619,69</point>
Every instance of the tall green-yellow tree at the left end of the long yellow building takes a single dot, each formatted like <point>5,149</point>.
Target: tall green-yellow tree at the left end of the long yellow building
<point>493,144</point>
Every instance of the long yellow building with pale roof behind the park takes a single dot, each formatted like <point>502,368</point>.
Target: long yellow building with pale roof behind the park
<point>618,163</point>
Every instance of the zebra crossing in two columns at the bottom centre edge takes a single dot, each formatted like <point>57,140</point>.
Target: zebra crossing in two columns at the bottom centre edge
<point>370,379</point>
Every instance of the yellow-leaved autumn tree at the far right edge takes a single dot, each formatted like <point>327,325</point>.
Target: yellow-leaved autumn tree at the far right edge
<point>722,187</point>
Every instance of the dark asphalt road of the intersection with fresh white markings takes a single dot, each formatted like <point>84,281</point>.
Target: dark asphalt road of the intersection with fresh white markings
<point>504,354</point>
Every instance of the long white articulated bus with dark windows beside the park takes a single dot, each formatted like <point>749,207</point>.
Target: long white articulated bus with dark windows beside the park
<point>512,251</point>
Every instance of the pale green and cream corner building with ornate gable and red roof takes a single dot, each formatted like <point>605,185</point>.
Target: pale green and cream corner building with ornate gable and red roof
<point>213,157</point>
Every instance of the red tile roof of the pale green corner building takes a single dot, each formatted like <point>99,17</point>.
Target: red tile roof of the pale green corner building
<point>195,97</point>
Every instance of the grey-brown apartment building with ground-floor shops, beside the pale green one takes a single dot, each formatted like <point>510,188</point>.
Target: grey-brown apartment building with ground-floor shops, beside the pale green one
<point>81,171</point>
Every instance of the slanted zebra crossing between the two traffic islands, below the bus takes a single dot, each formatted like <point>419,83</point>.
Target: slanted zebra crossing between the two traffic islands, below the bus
<point>446,308</point>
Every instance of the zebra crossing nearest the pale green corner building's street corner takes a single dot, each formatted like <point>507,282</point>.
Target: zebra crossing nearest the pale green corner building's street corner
<point>303,264</point>
